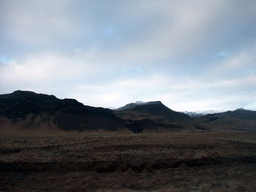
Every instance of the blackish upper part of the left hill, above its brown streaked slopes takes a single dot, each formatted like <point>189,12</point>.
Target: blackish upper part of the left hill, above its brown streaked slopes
<point>19,104</point>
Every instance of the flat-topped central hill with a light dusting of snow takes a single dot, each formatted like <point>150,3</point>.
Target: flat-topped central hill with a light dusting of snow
<point>153,115</point>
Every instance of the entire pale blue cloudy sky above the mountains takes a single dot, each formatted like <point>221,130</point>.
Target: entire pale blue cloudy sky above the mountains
<point>190,55</point>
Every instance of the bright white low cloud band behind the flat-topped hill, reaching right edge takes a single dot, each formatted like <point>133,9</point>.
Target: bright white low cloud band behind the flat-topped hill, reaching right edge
<point>177,93</point>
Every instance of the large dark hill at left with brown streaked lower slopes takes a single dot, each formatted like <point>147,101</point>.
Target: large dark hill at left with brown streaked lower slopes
<point>25,110</point>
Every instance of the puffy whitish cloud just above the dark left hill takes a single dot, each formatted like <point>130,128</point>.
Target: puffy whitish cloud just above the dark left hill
<point>46,71</point>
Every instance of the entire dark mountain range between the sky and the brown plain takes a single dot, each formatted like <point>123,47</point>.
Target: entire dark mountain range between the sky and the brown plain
<point>29,110</point>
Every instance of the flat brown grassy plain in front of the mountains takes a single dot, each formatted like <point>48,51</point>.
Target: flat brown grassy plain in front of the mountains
<point>101,161</point>
